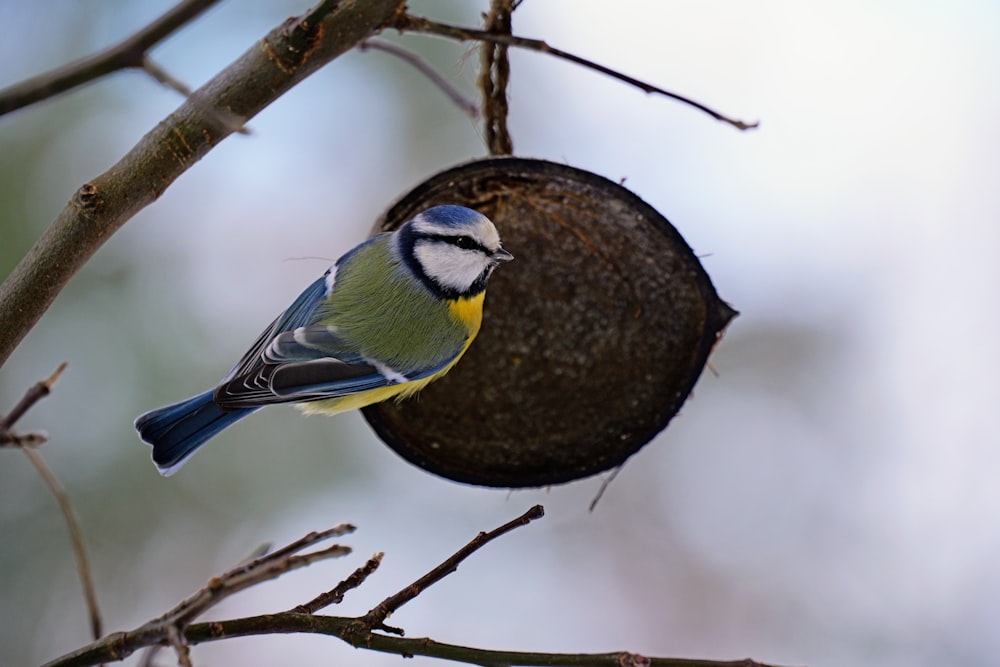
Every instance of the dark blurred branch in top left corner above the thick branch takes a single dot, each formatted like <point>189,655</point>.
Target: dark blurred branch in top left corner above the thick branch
<point>129,53</point>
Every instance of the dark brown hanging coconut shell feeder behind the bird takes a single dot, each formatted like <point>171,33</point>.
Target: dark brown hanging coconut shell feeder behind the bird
<point>592,338</point>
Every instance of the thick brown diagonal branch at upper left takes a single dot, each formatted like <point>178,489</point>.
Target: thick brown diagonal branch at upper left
<point>286,56</point>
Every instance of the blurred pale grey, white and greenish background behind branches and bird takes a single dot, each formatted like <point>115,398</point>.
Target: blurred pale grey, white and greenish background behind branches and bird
<point>830,498</point>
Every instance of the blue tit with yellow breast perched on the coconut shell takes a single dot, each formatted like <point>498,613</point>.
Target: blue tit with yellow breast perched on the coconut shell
<point>393,314</point>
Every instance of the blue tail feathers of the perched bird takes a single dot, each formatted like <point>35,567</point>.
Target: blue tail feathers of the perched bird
<point>177,431</point>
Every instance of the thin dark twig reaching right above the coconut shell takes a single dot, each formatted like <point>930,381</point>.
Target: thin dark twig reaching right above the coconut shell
<point>412,23</point>
